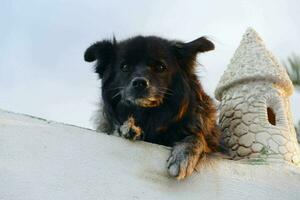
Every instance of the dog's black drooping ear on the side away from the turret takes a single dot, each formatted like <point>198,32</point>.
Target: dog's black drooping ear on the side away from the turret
<point>103,52</point>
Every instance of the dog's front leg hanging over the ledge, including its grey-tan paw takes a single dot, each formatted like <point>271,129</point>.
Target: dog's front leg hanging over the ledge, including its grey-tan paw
<point>185,156</point>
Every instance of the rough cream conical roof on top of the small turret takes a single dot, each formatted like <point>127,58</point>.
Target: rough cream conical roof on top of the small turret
<point>252,61</point>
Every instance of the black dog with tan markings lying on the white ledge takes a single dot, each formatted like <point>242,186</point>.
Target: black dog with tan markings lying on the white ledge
<point>150,92</point>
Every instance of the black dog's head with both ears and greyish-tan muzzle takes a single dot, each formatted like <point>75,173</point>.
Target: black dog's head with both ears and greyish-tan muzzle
<point>140,70</point>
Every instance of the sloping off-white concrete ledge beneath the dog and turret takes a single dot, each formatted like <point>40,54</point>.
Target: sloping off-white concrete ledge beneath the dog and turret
<point>47,160</point>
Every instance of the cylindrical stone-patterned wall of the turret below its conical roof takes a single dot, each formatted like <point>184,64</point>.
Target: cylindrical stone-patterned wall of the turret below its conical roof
<point>245,126</point>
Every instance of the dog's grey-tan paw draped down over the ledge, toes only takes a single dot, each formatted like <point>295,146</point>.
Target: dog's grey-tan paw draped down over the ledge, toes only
<point>182,161</point>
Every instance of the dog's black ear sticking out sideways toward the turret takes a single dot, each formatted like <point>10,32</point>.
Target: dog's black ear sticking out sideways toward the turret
<point>187,52</point>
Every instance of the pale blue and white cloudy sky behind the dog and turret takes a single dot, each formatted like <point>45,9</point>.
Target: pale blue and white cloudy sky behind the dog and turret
<point>42,71</point>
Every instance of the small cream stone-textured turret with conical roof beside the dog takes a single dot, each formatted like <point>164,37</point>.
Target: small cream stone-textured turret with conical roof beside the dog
<point>255,115</point>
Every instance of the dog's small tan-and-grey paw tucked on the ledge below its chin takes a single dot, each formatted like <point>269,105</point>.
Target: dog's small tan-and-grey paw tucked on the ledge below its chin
<point>129,130</point>
